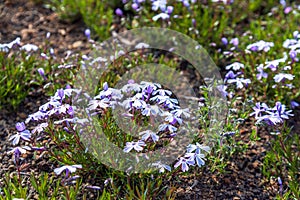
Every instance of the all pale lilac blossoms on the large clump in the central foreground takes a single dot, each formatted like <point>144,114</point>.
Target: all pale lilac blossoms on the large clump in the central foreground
<point>146,100</point>
